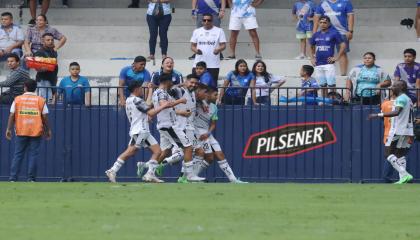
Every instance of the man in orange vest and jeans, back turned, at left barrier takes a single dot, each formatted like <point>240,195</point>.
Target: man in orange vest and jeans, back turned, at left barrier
<point>29,114</point>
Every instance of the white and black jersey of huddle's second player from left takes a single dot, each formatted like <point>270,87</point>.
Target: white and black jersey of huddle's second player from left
<point>166,117</point>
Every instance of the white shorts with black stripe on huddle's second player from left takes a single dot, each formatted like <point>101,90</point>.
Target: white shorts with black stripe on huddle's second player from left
<point>173,137</point>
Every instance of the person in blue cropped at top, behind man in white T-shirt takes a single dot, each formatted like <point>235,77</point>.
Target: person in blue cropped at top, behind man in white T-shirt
<point>214,7</point>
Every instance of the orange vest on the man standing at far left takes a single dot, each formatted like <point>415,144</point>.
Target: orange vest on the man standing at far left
<point>28,115</point>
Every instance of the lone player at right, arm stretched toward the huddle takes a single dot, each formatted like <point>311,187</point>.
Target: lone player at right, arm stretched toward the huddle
<point>401,133</point>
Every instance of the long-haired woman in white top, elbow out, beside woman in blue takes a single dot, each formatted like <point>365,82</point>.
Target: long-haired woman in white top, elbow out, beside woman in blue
<point>263,84</point>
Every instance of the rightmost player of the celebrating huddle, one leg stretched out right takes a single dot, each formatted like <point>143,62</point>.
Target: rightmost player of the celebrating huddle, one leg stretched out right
<point>205,124</point>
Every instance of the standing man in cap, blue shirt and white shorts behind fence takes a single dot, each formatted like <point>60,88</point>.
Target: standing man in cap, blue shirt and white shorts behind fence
<point>322,47</point>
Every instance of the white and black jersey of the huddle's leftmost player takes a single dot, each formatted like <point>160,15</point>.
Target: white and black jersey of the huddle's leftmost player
<point>136,109</point>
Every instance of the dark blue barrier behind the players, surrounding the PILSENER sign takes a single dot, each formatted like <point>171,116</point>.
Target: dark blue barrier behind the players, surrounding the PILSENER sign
<point>87,140</point>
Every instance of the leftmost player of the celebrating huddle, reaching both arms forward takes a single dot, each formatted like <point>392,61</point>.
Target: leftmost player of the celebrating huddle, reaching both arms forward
<point>138,113</point>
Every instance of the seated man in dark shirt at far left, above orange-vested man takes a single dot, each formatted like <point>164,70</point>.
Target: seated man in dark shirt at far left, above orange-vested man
<point>14,80</point>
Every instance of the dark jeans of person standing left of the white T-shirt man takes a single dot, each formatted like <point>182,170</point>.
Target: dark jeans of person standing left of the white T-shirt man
<point>158,25</point>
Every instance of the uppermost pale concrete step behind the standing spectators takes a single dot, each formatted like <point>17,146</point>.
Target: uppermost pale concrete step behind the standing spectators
<point>182,17</point>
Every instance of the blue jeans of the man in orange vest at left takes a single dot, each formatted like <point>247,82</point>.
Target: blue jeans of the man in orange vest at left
<point>30,146</point>
